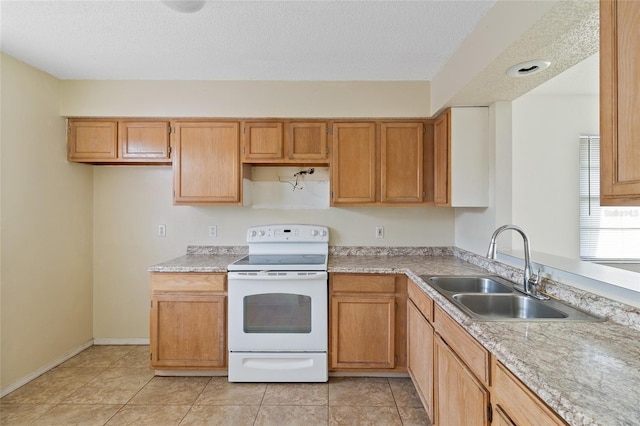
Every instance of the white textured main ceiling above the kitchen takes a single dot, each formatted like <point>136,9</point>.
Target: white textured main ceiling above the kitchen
<point>239,40</point>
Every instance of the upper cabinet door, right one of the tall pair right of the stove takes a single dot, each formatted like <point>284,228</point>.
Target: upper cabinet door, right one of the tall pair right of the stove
<point>401,162</point>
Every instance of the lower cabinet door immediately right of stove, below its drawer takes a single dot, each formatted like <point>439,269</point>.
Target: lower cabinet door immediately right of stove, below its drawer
<point>362,331</point>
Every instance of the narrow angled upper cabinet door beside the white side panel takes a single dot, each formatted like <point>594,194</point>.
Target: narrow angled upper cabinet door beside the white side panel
<point>442,159</point>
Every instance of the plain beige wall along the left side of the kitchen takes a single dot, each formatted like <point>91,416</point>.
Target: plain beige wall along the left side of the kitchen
<point>46,234</point>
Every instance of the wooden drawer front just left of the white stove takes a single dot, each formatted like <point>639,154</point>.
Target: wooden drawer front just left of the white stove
<point>162,281</point>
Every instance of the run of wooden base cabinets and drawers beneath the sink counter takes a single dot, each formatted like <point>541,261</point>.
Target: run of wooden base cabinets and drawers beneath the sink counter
<point>458,380</point>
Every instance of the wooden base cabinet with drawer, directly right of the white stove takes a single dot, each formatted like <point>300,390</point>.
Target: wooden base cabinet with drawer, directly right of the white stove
<point>367,322</point>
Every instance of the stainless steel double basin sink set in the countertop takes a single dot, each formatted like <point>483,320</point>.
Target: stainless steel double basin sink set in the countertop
<point>491,298</point>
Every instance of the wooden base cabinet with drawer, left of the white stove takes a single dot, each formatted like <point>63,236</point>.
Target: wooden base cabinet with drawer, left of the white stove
<point>188,321</point>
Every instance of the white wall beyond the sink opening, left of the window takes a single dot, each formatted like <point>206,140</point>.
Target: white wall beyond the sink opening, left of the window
<point>546,131</point>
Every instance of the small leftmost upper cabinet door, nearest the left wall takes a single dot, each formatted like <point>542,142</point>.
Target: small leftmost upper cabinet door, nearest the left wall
<point>92,140</point>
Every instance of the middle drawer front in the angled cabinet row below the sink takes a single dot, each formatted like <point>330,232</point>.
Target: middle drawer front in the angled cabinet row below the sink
<point>466,347</point>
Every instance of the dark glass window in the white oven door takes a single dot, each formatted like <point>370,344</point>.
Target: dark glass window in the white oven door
<point>277,313</point>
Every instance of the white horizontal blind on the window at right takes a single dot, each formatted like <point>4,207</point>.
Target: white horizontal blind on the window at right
<point>609,234</point>
